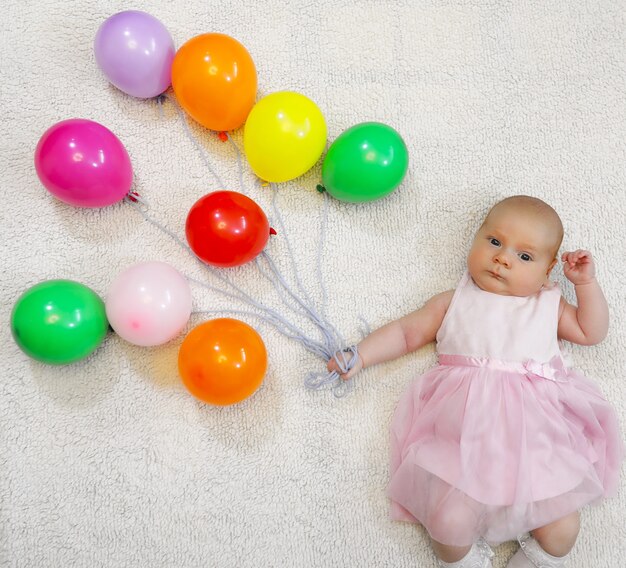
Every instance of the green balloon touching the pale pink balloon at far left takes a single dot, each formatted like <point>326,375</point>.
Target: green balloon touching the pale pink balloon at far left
<point>59,321</point>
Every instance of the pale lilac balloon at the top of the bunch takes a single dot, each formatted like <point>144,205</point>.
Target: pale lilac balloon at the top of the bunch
<point>135,51</point>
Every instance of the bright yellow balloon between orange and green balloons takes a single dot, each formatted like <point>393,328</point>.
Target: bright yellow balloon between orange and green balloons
<point>284,136</point>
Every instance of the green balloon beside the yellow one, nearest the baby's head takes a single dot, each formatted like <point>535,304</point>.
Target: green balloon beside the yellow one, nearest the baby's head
<point>365,162</point>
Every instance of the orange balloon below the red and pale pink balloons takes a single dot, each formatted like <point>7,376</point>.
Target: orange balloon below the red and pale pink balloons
<point>222,361</point>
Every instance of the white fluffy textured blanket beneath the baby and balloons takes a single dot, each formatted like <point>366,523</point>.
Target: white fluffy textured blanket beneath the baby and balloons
<point>109,462</point>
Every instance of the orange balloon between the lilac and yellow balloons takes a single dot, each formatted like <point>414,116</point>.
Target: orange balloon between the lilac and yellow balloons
<point>214,79</point>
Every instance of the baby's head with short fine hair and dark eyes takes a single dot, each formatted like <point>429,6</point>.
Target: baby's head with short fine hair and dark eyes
<point>516,247</point>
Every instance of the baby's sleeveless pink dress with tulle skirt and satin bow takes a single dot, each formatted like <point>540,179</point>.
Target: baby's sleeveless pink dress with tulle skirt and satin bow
<point>500,437</point>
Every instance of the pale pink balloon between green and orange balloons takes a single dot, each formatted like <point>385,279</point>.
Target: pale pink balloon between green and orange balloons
<point>149,303</point>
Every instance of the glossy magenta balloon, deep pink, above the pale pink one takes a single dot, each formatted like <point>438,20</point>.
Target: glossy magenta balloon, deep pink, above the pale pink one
<point>83,163</point>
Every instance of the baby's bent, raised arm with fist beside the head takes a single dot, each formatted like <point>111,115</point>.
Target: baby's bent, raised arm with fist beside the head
<point>588,323</point>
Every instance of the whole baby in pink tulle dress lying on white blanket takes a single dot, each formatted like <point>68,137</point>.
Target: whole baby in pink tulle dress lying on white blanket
<point>500,439</point>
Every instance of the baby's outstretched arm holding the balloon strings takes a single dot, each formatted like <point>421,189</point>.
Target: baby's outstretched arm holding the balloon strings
<point>400,336</point>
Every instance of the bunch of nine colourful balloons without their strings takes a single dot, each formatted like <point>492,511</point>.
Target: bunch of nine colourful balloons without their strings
<point>84,164</point>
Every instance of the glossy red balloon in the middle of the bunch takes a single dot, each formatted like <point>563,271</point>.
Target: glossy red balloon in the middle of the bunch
<point>226,228</point>
